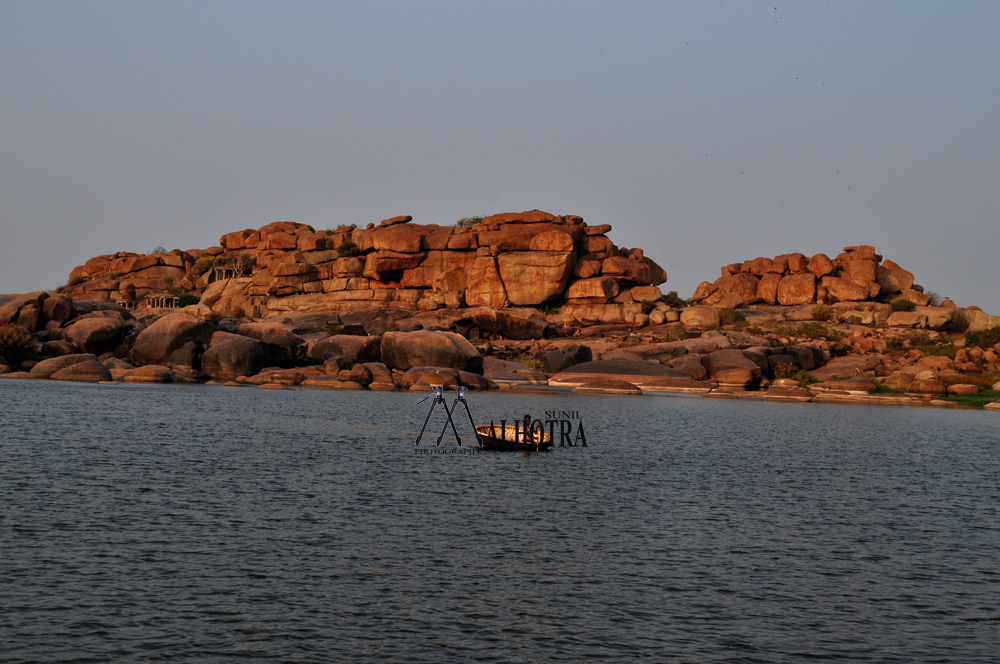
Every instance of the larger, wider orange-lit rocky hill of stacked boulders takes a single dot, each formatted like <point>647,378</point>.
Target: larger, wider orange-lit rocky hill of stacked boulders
<point>525,259</point>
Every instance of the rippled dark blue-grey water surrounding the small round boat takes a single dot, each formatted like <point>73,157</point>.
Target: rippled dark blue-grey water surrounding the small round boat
<point>154,523</point>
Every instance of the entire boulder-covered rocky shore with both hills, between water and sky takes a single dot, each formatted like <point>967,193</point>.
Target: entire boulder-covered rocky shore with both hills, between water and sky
<point>495,303</point>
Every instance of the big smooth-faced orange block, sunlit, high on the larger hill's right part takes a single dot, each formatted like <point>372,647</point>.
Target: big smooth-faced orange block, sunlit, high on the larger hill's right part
<point>534,277</point>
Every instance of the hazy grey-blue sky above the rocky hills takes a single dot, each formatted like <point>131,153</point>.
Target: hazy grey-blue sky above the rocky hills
<point>704,133</point>
